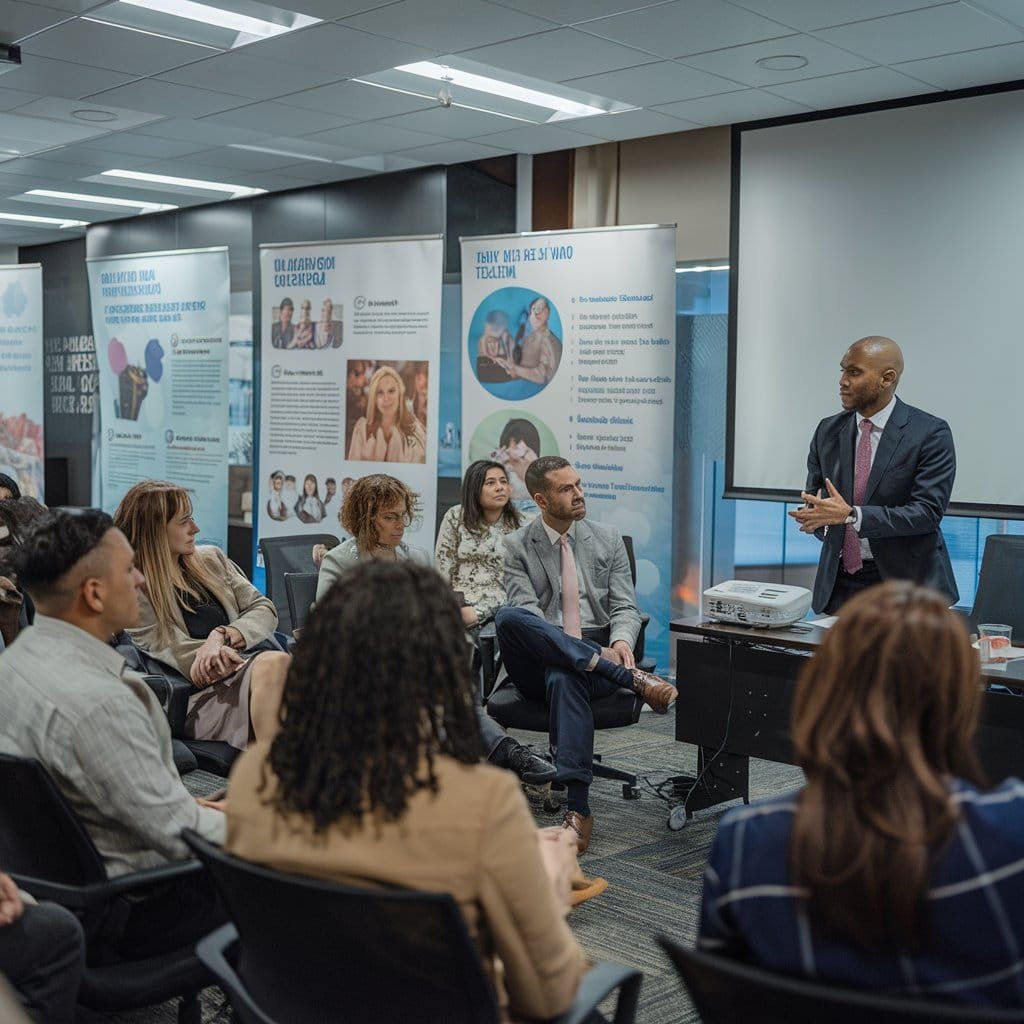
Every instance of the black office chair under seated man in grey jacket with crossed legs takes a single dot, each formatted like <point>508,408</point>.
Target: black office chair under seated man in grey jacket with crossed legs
<point>508,707</point>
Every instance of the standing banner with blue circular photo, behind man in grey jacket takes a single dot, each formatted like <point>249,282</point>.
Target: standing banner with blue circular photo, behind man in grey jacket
<point>570,349</point>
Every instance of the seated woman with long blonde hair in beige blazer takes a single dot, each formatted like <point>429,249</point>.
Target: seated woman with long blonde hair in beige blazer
<point>199,614</point>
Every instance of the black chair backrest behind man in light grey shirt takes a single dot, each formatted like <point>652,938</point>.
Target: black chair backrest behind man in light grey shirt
<point>40,836</point>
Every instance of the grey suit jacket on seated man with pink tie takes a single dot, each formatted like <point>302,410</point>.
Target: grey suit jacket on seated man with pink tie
<point>534,576</point>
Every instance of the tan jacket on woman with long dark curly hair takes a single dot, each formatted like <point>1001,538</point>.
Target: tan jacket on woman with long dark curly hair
<point>475,838</point>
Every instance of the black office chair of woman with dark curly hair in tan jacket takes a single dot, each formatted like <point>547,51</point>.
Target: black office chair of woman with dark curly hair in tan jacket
<point>300,946</point>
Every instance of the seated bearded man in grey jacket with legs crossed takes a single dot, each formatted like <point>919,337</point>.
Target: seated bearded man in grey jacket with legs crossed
<point>568,634</point>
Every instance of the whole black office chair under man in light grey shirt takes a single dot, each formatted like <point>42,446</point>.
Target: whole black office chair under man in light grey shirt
<point>46,849</point>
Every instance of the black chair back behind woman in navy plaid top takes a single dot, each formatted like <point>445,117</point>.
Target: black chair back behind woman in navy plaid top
<point>727,991</point>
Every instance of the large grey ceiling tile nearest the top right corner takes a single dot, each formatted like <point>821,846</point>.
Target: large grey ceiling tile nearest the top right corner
<point>930,33</point>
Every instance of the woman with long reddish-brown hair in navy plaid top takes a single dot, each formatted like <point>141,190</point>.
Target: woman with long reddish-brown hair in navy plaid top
<point>894,869</point>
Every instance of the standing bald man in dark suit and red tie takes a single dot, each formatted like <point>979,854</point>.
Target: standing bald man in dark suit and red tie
<point>886,471</point>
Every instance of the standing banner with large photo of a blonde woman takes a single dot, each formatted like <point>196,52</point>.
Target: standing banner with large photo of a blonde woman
<point>350,358</point>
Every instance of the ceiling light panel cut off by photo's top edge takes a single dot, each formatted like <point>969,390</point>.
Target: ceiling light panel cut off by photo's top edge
<point>229,25</point>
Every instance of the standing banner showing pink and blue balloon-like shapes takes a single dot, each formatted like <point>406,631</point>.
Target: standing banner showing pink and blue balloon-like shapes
<point>162,327</point>
